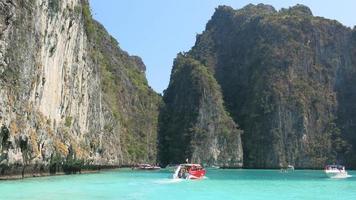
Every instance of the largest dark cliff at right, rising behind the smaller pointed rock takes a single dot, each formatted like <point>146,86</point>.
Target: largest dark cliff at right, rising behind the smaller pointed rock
<point>287,80</point>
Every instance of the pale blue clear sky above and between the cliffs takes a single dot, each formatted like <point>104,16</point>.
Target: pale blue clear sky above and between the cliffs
<point>156,30</point>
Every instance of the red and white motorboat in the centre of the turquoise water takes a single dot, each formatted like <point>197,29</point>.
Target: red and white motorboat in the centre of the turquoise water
<point>189,171</point>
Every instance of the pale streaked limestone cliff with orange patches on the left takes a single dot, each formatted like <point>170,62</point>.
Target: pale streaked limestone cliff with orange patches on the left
<point>69,96</point>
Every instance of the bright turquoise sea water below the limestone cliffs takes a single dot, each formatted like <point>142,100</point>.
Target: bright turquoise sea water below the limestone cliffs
<point>219,184</point>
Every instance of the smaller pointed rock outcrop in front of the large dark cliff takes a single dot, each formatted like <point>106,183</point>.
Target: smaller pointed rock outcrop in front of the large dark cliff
<point>194,123</point>
